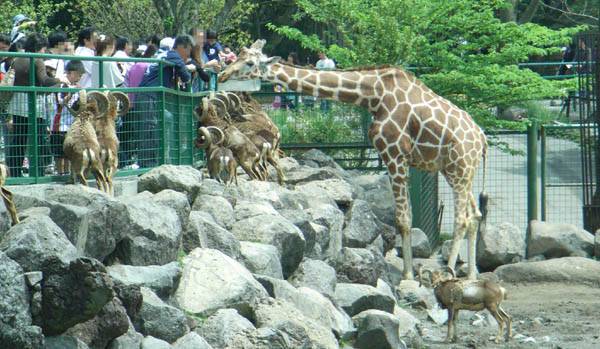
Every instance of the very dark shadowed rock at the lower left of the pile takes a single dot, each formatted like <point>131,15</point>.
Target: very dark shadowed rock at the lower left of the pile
<point>72,293</point>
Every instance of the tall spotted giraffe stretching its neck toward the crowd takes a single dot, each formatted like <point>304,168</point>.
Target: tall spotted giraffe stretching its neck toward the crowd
<point>411,126</point>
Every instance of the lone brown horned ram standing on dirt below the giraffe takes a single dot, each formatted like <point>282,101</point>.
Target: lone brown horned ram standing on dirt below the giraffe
<point>454,294</point>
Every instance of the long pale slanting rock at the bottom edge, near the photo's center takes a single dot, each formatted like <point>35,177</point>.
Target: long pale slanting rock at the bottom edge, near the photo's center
<point>280,315</point>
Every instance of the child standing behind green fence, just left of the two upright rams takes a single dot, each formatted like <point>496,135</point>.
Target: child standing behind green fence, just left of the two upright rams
<point>63,118</point>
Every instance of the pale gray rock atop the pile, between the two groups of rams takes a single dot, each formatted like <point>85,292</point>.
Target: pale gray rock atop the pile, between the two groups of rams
<point>183,179</point>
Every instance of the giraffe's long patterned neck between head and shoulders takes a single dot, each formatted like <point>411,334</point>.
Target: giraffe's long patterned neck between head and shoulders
<point>365,88</point>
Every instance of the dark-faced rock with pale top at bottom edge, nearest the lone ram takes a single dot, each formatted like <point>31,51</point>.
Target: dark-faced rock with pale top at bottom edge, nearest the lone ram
<point>376,329</point>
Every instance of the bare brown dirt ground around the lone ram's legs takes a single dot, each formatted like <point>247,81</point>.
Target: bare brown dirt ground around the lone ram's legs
<point>544,315</point>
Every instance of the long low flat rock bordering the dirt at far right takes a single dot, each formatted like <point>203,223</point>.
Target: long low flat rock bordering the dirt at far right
<point>566,269</point>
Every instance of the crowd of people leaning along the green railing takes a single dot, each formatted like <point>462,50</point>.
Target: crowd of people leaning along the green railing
<point>192,56</point>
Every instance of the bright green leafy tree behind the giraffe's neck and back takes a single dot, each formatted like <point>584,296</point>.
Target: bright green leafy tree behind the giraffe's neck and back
<point>465,52</point>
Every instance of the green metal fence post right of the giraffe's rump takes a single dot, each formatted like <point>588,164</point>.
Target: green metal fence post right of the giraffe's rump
<point>532,174</point>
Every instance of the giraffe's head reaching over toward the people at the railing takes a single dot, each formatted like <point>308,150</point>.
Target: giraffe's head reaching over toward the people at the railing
<point>251,63</point>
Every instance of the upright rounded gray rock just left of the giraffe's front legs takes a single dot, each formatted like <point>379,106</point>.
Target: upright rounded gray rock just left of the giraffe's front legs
<point>361,228</point>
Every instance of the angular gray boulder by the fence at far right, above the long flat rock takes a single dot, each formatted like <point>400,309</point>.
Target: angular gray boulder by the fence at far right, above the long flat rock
<point>559,240</point>
